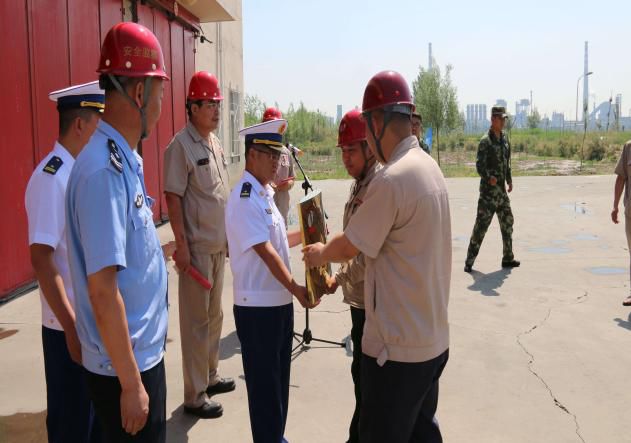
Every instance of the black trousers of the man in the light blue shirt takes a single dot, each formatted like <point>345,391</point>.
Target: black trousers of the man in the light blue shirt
<point>105,393</point>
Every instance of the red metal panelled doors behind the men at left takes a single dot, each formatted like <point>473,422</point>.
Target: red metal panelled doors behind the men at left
<point>54,44</point>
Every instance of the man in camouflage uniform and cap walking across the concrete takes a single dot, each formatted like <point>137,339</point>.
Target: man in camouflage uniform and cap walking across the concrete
<point>493,165</point>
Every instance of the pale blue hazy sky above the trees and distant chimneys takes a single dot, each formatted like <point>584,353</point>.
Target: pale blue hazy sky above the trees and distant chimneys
<point>323,52</point>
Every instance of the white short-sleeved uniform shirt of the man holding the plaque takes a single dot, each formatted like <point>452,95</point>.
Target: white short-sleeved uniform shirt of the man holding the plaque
<point>253,218</point>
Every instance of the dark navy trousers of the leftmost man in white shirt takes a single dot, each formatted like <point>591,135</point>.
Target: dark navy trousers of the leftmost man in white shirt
<point>70,415</point>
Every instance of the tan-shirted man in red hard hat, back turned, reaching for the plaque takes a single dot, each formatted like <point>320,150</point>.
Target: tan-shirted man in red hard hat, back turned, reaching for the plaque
<point>403,229</point>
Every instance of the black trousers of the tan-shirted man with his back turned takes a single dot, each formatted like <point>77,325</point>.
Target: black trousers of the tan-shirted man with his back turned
<point>399,401</point>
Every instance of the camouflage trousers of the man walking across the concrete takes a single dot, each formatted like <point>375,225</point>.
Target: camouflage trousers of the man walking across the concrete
<point>489,204</point>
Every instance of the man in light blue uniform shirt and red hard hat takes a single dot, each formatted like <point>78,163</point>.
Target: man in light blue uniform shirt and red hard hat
<point>118,271</point>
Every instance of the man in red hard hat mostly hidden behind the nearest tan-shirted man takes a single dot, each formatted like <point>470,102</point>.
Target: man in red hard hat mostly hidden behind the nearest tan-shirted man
<point>361,165</point>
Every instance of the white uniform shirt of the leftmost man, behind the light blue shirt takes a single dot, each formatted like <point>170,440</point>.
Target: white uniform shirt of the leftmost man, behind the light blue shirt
<point>45,208</point>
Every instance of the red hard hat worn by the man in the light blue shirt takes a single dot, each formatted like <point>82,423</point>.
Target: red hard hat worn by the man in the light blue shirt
<point>131,50</point>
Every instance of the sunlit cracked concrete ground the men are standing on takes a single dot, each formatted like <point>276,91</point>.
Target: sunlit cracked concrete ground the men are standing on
<point>537,353</point>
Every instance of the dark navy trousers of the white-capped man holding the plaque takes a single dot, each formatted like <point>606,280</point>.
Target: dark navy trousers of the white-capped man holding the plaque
<point>265,334</point>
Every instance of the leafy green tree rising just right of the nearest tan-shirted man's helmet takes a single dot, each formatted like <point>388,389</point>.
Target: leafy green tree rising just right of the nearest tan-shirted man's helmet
<point>436,99</point>
